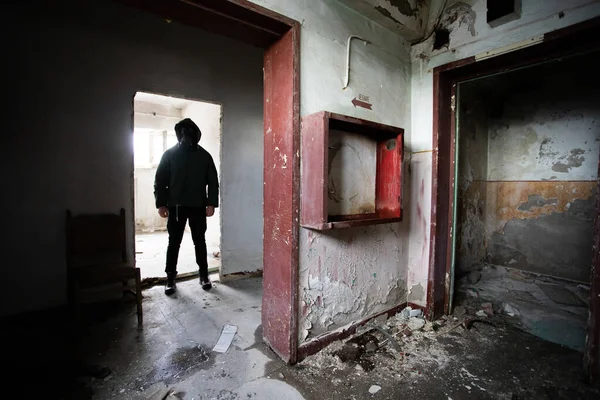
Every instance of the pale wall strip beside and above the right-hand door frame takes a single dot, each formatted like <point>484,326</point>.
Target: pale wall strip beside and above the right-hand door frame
<point>469,35</point>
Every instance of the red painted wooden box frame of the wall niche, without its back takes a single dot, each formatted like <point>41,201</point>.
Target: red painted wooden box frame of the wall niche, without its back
<point>315,171</point>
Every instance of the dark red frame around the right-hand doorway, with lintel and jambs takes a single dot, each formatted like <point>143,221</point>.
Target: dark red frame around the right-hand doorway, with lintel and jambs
<point>565,42</point>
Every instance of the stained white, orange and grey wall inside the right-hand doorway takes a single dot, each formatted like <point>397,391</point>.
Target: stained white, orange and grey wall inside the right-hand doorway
<point>520,214</point>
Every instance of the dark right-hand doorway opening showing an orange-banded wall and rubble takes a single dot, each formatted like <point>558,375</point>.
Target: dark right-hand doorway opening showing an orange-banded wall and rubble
<point>525,194</point>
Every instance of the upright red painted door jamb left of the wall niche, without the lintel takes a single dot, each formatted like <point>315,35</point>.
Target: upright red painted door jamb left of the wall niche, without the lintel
<point>281,177</point>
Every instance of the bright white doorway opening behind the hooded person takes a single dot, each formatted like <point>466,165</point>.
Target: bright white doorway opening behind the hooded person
<point>155,117</point>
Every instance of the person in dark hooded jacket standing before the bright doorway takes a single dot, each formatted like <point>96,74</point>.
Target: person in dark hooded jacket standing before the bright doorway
<point>186,187</point>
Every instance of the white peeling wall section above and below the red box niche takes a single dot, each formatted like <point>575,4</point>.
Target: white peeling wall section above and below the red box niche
<point>353,273</point>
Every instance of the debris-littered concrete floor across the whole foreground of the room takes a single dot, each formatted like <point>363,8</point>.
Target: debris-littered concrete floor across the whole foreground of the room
<point>479,352</point>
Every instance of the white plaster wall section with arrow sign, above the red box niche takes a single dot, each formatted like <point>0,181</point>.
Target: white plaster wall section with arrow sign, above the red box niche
<point>380,70</point>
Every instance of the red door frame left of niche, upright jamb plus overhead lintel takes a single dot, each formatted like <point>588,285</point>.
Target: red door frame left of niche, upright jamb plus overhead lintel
<point>280,37</point>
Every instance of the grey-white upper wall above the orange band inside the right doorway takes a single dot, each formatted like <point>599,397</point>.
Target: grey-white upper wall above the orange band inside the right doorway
<point>547,131</point>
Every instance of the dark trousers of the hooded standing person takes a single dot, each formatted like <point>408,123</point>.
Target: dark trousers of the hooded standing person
<point>178,216</point>
